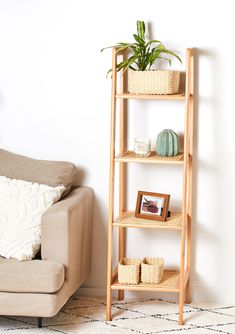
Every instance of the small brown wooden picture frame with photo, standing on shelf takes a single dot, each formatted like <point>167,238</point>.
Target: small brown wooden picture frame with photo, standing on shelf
<point>152,206</point>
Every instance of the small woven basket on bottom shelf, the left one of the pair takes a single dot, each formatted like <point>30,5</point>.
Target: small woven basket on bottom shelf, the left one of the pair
<point>129,271</point>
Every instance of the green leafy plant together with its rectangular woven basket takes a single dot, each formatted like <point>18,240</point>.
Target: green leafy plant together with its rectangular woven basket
<point>142,79</point>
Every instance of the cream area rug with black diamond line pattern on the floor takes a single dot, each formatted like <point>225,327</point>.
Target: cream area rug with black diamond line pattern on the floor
<point>141,316</point>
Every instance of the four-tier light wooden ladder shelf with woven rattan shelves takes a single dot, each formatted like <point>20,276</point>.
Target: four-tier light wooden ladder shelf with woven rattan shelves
<point>177,281</point>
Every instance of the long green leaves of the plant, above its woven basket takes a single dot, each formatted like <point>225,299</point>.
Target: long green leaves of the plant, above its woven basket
<point>144,54</point>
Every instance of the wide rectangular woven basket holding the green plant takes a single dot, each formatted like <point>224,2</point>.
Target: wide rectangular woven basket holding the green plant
<point>153,82</point>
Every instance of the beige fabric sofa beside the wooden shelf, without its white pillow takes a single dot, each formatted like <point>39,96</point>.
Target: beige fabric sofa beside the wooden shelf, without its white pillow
<point>39,288</point>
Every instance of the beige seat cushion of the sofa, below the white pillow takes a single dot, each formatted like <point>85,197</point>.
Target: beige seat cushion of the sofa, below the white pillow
<point>37,276</point>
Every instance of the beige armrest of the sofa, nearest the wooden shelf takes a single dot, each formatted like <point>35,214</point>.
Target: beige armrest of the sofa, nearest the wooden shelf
<point>66,234</point>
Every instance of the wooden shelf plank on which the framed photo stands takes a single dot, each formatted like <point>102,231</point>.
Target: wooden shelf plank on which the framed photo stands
<point>129,220</point>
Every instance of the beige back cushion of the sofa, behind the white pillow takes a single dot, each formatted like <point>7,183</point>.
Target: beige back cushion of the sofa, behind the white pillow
<point>52,173</point>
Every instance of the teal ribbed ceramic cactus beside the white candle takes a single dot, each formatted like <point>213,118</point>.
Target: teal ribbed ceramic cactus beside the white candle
<point>167,143</point>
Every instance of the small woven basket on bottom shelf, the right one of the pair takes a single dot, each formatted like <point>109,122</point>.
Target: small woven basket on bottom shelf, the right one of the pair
<point>152,270</point>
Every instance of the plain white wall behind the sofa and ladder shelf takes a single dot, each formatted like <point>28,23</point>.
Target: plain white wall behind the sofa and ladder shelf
<point>55,99</point>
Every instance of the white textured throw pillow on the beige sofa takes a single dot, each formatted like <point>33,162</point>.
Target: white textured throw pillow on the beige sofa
<point>22,204</point>
